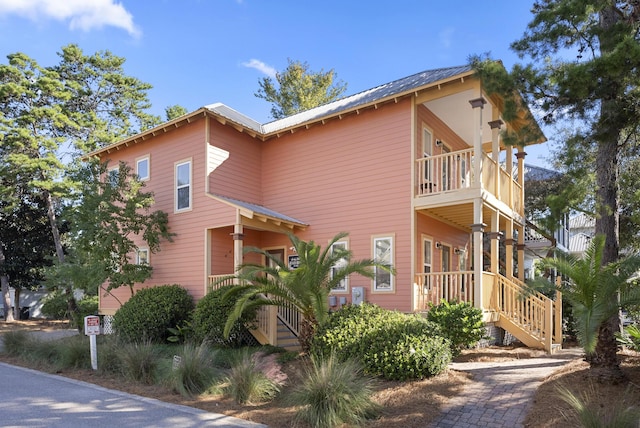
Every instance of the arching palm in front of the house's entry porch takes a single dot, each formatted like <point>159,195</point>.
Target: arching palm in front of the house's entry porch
<point>305,287</point>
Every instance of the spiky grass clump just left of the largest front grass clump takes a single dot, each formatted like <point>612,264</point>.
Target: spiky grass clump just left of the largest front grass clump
<point>246,384</point>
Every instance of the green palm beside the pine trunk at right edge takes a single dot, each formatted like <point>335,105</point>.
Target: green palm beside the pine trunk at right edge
<point>596,293</point>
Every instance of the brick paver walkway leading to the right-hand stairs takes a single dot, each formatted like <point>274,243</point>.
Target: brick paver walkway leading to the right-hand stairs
<point>501,392</point>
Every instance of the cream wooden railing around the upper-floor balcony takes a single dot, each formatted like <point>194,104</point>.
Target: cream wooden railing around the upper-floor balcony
<point>454,176</point>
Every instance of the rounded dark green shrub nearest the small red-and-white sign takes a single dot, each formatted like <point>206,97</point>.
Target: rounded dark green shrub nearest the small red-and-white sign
<point>149,314</point>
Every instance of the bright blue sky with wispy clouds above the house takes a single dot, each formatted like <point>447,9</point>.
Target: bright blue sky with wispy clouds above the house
<point>197,52</point>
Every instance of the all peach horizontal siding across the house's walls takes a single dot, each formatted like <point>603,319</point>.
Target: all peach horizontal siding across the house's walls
<point>351,174</point>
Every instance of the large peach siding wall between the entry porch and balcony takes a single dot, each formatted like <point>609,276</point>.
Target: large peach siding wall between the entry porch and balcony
<point>350,175</point>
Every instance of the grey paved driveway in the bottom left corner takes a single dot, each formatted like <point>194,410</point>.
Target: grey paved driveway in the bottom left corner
<point>29,398</point>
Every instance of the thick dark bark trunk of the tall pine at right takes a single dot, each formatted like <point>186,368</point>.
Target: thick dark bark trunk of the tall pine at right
<point>605,357</point>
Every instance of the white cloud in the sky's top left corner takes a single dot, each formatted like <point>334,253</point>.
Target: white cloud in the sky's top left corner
<point>80,14</point>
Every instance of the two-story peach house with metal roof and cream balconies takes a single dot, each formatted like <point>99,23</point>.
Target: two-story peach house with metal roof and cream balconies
<point>410,169</point>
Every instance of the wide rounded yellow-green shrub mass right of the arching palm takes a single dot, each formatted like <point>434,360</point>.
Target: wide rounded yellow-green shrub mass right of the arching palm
<point>391,344</point>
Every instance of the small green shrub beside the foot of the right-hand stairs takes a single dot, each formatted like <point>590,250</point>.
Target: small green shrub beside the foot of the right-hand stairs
<point>461,323</point>
